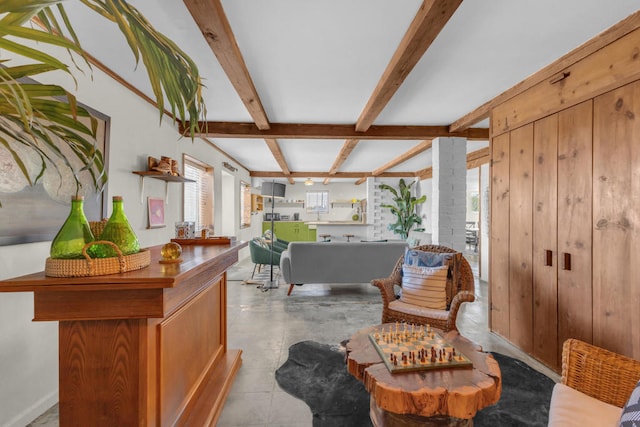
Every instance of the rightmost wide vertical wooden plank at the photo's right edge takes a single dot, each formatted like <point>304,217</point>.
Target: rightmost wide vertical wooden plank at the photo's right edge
<point>616,238</point>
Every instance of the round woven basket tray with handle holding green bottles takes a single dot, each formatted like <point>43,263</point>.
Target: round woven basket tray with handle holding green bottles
<point>97,266</point>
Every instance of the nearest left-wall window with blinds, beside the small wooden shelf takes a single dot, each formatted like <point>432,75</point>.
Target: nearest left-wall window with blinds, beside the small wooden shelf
<point>198,195</point>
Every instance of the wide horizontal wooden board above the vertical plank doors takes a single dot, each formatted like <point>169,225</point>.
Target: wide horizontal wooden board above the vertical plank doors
<point>610,67</point>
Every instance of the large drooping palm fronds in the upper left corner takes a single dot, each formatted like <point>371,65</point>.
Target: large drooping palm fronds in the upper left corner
<point>44,121</point>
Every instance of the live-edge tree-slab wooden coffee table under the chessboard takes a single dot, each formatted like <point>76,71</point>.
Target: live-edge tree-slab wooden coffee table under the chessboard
<point>439,396</point>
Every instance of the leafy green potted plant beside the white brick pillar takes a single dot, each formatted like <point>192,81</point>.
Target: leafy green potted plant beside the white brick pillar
<point>404,208</point>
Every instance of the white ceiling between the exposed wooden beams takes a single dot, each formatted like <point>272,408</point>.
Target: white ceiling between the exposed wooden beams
<point>319,62</point>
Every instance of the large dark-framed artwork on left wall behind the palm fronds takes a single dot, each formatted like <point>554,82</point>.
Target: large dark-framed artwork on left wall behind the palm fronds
<point>36,213</point>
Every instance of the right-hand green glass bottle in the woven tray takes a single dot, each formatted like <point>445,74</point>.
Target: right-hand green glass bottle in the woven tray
<point>119,231</point>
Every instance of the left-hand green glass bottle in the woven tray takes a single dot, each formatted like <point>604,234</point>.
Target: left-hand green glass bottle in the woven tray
<point>74,234</point>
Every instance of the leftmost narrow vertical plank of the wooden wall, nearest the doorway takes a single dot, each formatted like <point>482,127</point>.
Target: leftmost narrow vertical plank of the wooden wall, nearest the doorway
<point>499,248</point>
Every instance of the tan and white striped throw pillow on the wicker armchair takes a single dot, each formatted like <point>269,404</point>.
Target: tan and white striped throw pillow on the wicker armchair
<point>425,286</point>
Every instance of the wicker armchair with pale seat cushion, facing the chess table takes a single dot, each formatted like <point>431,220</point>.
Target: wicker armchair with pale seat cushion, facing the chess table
<point>442,319</point>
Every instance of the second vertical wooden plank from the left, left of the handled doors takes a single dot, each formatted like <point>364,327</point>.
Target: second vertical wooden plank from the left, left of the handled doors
<point>520,238</point>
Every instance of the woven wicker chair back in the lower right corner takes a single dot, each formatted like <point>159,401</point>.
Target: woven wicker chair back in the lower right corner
<point>599,373</point>
